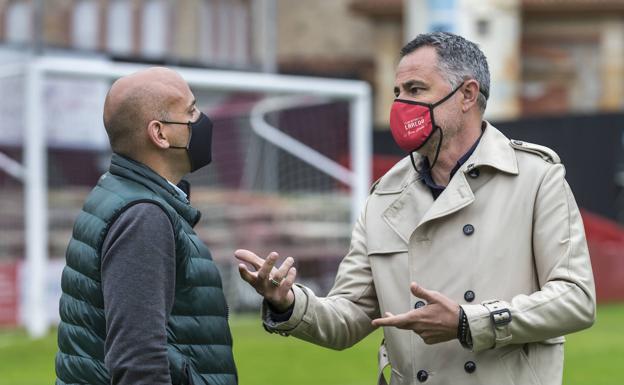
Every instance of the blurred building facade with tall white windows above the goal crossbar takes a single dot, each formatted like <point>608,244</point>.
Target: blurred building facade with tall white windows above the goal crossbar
<point>216,33</point>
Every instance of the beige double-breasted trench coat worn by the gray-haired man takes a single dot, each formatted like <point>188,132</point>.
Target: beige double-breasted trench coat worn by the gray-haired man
<point>506,228</point>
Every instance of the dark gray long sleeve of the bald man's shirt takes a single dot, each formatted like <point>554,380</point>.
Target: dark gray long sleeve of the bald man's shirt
<point>138,283</point>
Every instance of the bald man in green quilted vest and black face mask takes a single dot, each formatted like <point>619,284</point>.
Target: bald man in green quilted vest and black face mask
<point>142,299</point>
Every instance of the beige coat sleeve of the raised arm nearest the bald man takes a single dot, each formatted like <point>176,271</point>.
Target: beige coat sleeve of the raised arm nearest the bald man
<point>343,317</point>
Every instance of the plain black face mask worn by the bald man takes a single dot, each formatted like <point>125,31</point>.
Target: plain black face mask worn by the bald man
<point>199,146</point>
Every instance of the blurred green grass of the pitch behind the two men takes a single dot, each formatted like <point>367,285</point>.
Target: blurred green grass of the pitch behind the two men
<point>593,357</point>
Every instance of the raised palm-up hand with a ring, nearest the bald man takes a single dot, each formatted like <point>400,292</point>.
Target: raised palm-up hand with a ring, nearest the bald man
<point>271,283</point>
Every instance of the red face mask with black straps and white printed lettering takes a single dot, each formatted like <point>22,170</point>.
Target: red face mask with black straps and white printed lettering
<point>413,123</point>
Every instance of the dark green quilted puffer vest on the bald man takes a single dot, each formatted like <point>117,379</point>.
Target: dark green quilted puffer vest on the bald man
<point>199,342</point>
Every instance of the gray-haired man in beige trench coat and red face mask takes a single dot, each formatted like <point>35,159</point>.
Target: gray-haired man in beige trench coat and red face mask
<point>470,252</point>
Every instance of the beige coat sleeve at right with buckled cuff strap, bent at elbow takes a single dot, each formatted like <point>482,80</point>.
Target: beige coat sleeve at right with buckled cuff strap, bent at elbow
<point>566,301</point>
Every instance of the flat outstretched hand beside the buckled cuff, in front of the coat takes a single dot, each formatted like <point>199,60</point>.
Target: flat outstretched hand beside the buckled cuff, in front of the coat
<point>437,322</point>
